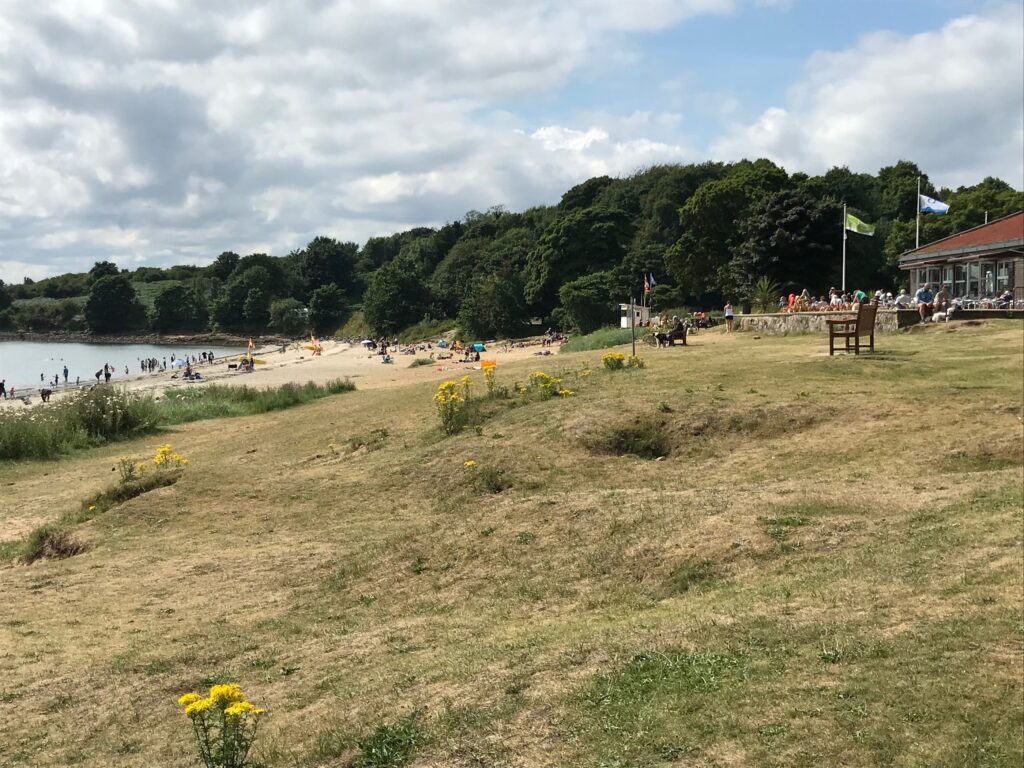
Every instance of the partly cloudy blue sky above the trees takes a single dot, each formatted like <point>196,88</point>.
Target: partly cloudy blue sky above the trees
<point>156,133</point>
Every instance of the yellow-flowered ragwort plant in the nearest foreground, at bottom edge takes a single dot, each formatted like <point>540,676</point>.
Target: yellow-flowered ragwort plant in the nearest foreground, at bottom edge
<point>225,726</point>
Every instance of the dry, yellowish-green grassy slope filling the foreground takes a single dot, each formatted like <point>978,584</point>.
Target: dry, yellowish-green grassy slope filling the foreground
<point>825,569</point>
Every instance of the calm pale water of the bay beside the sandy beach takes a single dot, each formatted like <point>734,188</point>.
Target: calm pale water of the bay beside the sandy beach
<point>23,362</point>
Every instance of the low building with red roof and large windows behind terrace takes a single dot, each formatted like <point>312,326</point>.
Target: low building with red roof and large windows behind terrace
<point>979,264</point>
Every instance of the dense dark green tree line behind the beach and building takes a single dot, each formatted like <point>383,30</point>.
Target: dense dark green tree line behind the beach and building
<point>706,232</point>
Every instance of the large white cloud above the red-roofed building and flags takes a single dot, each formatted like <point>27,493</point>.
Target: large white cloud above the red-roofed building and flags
<point>951,101</point>
